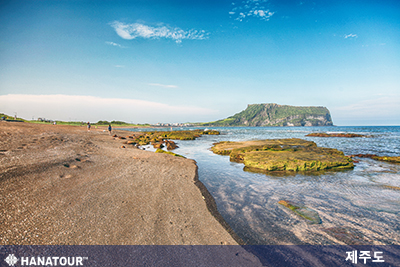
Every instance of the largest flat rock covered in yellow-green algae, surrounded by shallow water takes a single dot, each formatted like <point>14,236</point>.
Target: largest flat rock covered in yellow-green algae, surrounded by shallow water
<point>283,155</point>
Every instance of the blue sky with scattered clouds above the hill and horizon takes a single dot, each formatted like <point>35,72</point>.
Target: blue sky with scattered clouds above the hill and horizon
<point>146,61</point>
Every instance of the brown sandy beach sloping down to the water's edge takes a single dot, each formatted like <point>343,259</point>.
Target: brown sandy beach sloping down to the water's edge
<point>65,185</point>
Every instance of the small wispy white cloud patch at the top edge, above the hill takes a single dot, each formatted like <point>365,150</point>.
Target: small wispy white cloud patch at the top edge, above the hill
<point>251,8</point>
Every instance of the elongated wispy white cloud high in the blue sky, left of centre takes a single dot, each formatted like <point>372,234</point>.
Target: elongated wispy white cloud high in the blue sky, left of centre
<point>138,30</point>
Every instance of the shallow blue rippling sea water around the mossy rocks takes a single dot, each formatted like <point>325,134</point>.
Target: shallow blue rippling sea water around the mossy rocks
<point>355,206</point>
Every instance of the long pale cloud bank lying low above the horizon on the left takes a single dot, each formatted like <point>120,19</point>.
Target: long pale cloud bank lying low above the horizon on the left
<point>92,108</point>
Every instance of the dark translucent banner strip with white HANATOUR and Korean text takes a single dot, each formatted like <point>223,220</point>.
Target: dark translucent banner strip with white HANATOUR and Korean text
<point>304,255</point>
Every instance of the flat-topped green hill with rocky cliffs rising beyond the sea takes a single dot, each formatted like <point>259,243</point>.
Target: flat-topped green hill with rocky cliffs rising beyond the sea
<point>277,115</point>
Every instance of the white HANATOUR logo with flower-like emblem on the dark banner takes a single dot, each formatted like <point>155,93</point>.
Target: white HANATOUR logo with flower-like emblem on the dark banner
<point>47,261</point>
